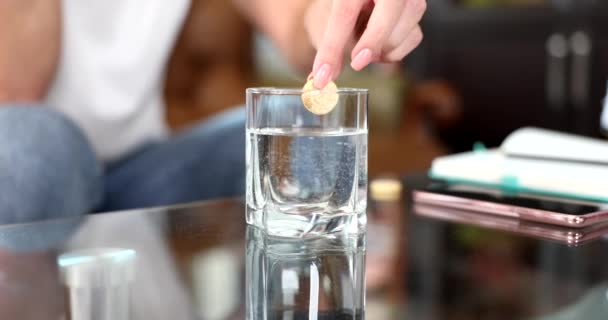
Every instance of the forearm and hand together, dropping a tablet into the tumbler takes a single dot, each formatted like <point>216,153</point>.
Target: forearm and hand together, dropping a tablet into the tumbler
<point>372,30</point>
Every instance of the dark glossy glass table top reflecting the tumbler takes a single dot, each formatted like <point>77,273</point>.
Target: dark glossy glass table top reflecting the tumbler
<point>200,261</point>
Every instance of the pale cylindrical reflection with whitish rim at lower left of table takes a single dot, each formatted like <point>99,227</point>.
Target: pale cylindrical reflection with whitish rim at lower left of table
<point>98,280</point>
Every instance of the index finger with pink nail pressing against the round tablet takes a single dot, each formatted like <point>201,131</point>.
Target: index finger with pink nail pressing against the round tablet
<point>338,31</point>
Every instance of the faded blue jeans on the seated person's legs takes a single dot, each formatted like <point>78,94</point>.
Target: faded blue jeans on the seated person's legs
<point>48,168</point>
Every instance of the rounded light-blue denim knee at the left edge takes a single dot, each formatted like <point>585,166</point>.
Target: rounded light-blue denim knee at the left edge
<point>47,167</point>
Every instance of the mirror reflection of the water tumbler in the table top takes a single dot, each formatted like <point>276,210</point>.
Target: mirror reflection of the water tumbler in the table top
<point>321,278</point>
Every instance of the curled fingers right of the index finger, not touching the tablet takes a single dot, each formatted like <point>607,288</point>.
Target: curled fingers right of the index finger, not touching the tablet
<point>403,36</point>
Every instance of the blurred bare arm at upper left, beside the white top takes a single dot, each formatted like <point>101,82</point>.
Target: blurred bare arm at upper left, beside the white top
<point>29,48</point>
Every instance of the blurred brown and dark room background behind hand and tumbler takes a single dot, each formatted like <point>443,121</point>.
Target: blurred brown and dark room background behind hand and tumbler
<point>485,68</point>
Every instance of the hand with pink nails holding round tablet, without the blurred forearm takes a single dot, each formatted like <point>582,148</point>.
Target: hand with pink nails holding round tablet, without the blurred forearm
<point>389,32</point>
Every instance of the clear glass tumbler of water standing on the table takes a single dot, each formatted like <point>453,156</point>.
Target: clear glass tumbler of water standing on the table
<point>306,173</point>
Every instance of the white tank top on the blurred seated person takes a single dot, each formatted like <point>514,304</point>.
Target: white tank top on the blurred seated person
<point>111,71</point>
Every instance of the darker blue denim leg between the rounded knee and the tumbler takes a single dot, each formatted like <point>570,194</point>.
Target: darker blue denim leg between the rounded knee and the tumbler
<point>207,161</point>
